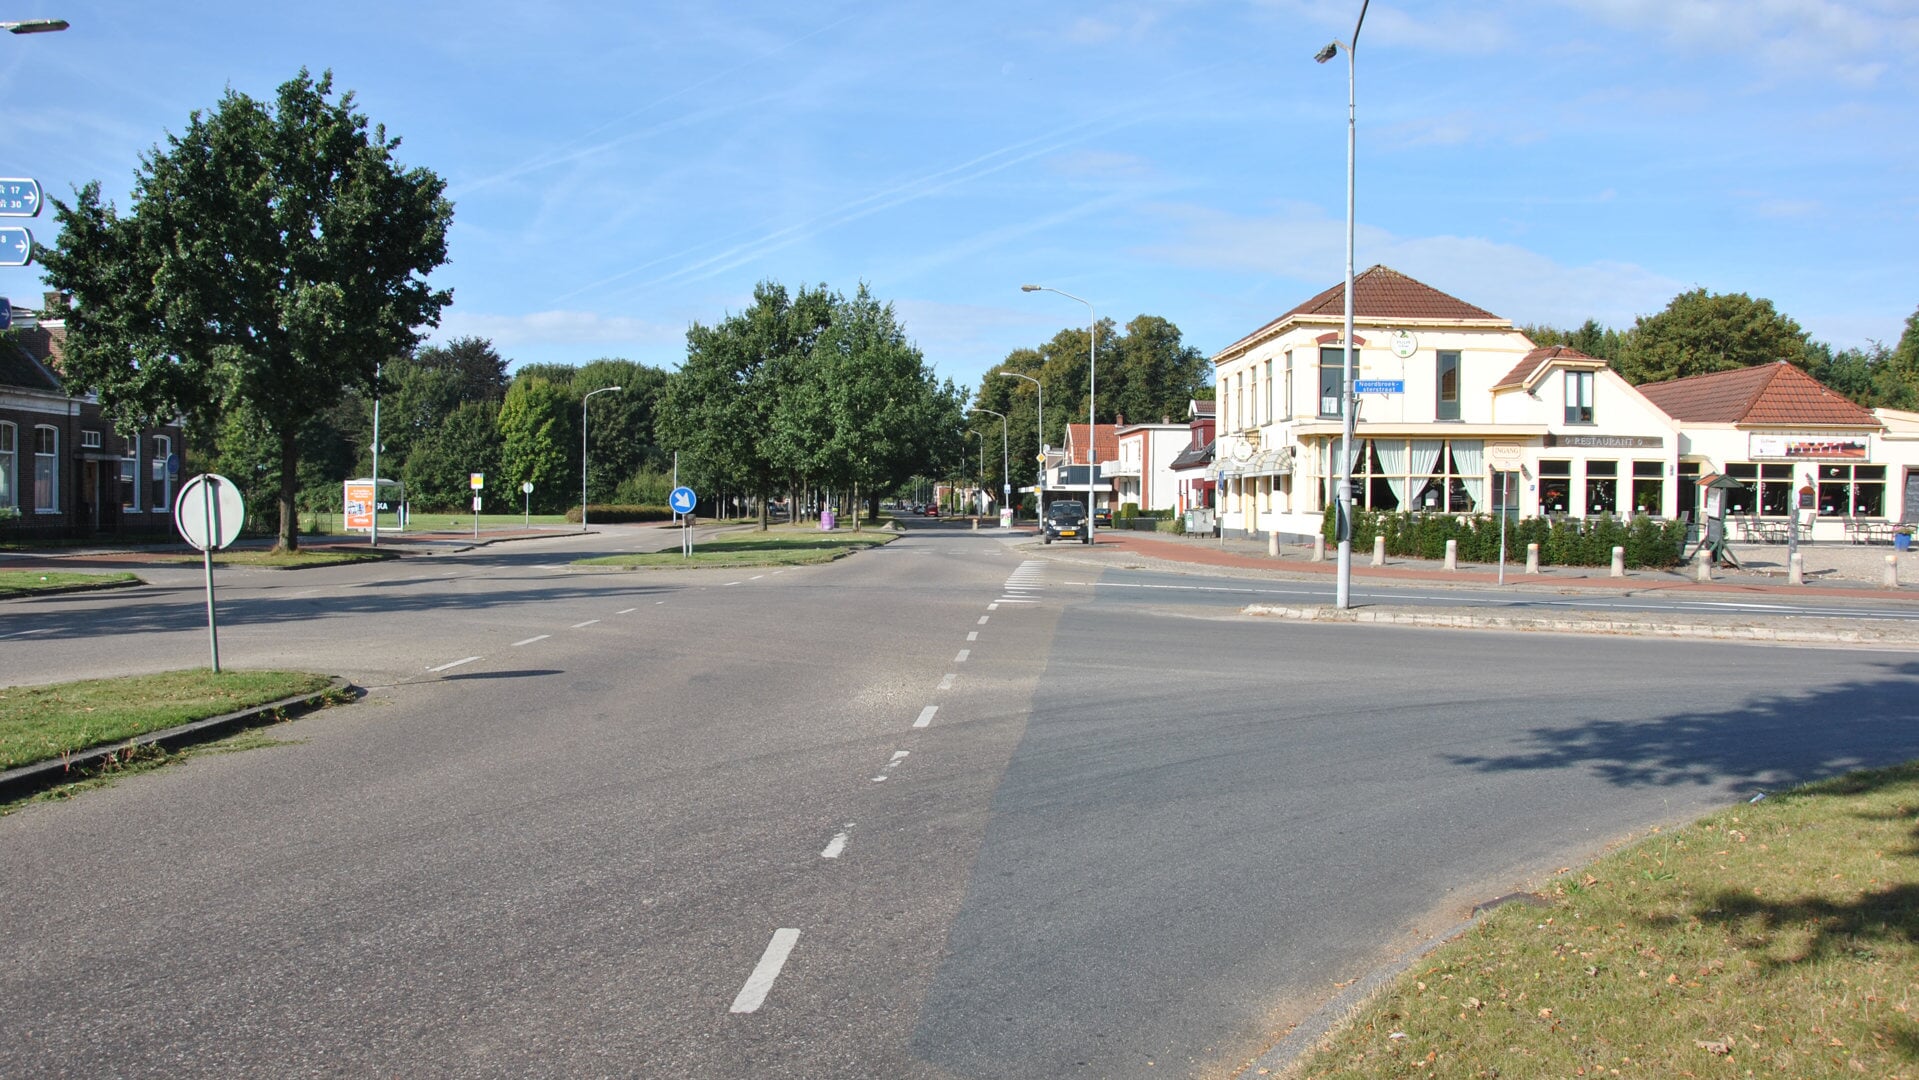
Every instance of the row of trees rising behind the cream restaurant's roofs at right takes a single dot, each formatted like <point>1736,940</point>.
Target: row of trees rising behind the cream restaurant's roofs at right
<point>1705,333</point>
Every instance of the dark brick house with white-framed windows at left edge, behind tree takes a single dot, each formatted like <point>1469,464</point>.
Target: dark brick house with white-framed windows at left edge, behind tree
<point>64,471</point>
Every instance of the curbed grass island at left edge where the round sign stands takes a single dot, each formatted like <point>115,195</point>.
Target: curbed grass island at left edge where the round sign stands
<point>39,724</point>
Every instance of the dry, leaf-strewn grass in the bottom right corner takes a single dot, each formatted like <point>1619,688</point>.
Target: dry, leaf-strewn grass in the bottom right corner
<point>1776,939</point>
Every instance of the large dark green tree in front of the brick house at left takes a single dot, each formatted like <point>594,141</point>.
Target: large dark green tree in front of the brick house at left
<point>273,254</point>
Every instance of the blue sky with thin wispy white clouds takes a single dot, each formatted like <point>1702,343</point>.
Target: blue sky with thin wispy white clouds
<point>625,170</point>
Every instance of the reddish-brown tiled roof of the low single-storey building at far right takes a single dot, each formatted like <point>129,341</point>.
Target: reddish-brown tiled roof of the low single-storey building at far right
<point>1761,396</point>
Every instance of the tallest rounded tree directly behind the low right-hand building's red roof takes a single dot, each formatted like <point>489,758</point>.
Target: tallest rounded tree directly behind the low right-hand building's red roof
<point>1705,333</point>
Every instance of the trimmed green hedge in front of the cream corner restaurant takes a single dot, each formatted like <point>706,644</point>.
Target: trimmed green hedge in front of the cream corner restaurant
<point>1563,542</point>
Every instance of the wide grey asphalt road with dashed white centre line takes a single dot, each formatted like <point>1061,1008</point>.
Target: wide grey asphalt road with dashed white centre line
<point>939,810</point>
